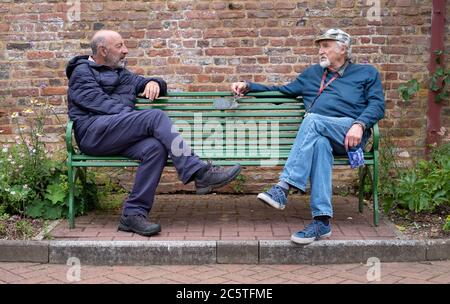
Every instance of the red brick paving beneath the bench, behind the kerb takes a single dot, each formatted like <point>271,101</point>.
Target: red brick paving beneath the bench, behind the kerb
<point>229,217</point>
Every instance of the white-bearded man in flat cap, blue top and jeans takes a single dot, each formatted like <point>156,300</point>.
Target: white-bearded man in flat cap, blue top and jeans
<point>343,100</point>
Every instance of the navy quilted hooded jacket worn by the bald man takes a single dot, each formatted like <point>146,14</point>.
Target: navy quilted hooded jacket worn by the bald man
<point>100,90</point>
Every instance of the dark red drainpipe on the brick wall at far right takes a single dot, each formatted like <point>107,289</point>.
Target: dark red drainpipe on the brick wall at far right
<point>437,43</point>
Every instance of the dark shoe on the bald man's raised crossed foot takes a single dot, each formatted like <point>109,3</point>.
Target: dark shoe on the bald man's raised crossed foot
<point>215,177</point>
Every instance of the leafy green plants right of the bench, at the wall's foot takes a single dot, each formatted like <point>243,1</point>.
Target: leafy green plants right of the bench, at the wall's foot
<point>421,188</point>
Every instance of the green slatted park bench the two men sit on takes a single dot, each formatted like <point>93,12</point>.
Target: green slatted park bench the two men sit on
<point>258,132</point>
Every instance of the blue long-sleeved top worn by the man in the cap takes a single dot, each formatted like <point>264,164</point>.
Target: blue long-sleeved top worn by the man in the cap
<point>358,94</point>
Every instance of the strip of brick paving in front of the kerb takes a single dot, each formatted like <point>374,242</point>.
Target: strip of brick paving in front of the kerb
<point>414,273</point>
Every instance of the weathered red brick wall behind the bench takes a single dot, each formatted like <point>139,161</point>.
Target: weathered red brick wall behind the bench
<point>206,45</point>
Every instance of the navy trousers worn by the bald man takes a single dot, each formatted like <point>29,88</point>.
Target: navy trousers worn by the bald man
<point>145,135</point>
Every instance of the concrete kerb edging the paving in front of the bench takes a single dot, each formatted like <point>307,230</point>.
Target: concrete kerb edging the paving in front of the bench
<point>223,252</point>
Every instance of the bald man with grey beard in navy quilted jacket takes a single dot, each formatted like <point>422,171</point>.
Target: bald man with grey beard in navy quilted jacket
<point>101,103</point>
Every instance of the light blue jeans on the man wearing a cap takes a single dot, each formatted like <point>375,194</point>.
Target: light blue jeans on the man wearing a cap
<point>311,157</point>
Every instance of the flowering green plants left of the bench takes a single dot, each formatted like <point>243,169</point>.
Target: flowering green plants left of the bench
<point>32,182</point>
